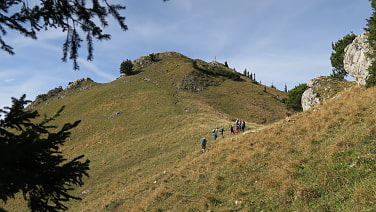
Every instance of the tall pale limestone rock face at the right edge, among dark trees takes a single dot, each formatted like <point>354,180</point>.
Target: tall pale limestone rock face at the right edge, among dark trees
<point>356,61</point>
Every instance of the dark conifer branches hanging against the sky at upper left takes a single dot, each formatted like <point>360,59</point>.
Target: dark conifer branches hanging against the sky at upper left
<point>72,17</point>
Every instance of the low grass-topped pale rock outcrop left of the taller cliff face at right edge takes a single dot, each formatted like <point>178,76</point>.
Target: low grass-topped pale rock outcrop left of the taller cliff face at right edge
<point>322,89</point>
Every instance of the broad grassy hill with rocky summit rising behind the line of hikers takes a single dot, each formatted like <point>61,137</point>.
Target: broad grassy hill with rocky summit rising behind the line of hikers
<point>139,128</point>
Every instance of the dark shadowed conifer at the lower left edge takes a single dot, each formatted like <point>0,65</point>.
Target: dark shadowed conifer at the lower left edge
<point>31,162</point>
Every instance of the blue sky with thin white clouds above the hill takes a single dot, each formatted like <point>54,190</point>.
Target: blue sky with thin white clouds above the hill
<point>285,43</point>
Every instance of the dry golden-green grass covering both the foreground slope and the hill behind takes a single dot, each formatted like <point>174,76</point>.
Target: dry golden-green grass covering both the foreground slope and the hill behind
<point>142,137</point>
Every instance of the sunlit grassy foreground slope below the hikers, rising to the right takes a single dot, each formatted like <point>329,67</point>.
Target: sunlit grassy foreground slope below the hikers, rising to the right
<point>323,159</point>
